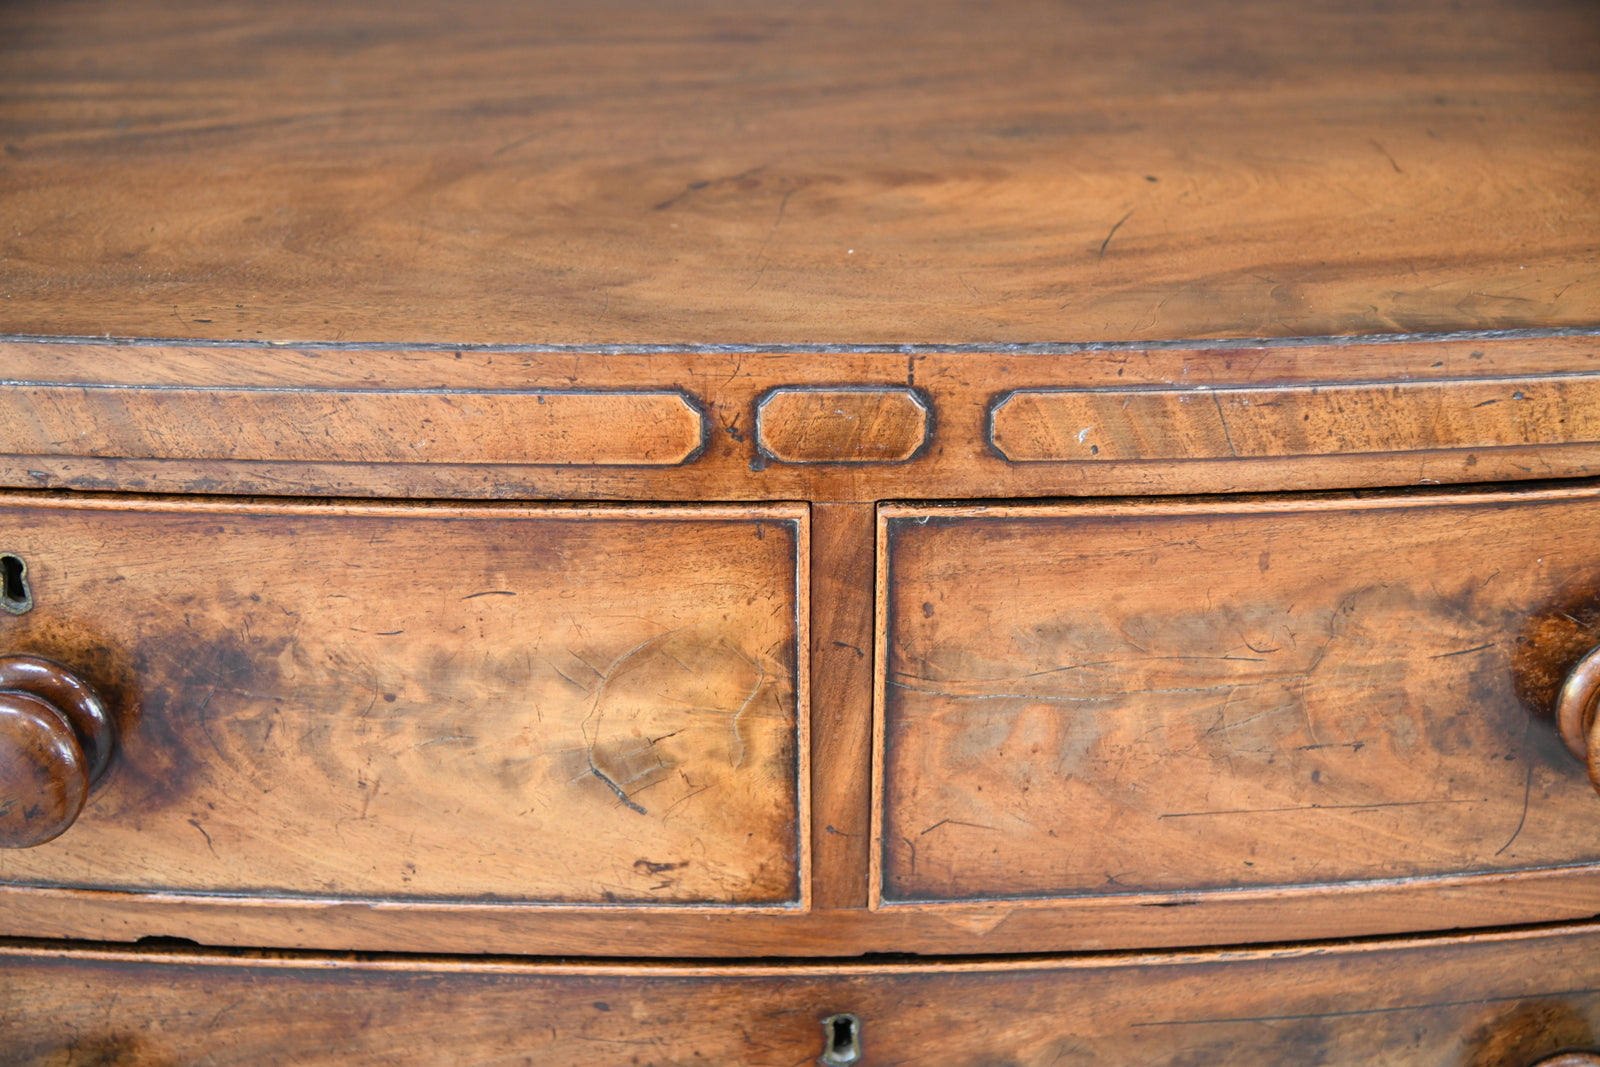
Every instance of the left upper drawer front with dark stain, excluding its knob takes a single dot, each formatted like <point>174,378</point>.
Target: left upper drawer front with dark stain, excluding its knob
<point>516,705</point>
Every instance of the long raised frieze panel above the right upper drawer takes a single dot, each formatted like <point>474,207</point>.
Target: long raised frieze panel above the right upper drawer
<point>1332,420</point>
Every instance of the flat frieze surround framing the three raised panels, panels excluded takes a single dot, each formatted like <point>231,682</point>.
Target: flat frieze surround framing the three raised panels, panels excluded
<point>961,386</point>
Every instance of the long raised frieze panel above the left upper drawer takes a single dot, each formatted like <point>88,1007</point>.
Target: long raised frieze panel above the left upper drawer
<point>609,430</point>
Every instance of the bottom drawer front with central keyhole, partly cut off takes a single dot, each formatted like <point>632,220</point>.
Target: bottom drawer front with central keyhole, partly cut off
<point>1486,1001</point>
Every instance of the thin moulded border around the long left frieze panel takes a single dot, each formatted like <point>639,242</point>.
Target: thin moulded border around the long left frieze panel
<point>695,409</point>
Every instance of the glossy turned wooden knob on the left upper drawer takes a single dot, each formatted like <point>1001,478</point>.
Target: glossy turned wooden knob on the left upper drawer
<point>55,743</point>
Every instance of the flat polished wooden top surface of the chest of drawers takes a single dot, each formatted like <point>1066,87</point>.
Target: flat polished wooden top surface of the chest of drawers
<point>830,174</point>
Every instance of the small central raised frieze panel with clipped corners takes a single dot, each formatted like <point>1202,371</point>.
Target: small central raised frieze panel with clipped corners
<point>842,425</point>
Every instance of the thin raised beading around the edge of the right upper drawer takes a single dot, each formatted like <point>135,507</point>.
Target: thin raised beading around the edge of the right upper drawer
<point>1180,508</point>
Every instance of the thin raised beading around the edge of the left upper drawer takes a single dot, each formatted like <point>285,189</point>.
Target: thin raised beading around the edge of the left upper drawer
<point>801,781</point>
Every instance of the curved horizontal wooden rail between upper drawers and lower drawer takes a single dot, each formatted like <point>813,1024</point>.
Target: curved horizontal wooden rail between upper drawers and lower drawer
<point>1252,916</point>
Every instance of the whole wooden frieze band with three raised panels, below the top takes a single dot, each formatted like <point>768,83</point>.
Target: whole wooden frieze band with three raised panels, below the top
<point>817,426</point>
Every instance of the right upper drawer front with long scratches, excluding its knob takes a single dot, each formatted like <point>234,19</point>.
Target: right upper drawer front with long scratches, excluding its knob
<point>1086,701</point>
